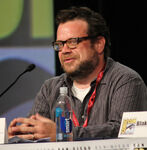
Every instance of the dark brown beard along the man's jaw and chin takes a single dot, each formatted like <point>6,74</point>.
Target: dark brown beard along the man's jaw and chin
<point>85,68</point>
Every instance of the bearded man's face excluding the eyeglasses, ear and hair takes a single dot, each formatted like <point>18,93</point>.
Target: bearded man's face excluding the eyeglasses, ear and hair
<point>82,60</point>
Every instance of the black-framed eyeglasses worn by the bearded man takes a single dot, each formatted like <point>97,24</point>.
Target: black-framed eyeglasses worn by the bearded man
<point>71,43</point>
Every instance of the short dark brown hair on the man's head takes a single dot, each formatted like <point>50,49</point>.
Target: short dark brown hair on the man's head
<point>96,23</point>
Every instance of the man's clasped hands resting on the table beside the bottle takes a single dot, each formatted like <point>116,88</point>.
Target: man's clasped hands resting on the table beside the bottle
<point>35,127</point>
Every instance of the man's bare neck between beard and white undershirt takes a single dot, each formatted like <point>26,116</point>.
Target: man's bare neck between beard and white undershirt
<point>85,82</point>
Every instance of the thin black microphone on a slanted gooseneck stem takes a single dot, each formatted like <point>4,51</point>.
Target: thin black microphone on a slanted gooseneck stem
<point>28,69</point>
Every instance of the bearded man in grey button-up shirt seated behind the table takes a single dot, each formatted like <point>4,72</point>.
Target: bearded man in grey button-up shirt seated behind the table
<point>100,88</point>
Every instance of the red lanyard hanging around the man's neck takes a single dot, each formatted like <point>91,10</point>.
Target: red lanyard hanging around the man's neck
<point>91,101</point>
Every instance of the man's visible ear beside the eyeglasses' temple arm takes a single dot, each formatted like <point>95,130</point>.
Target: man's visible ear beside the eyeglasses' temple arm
<point>100,44</point>
